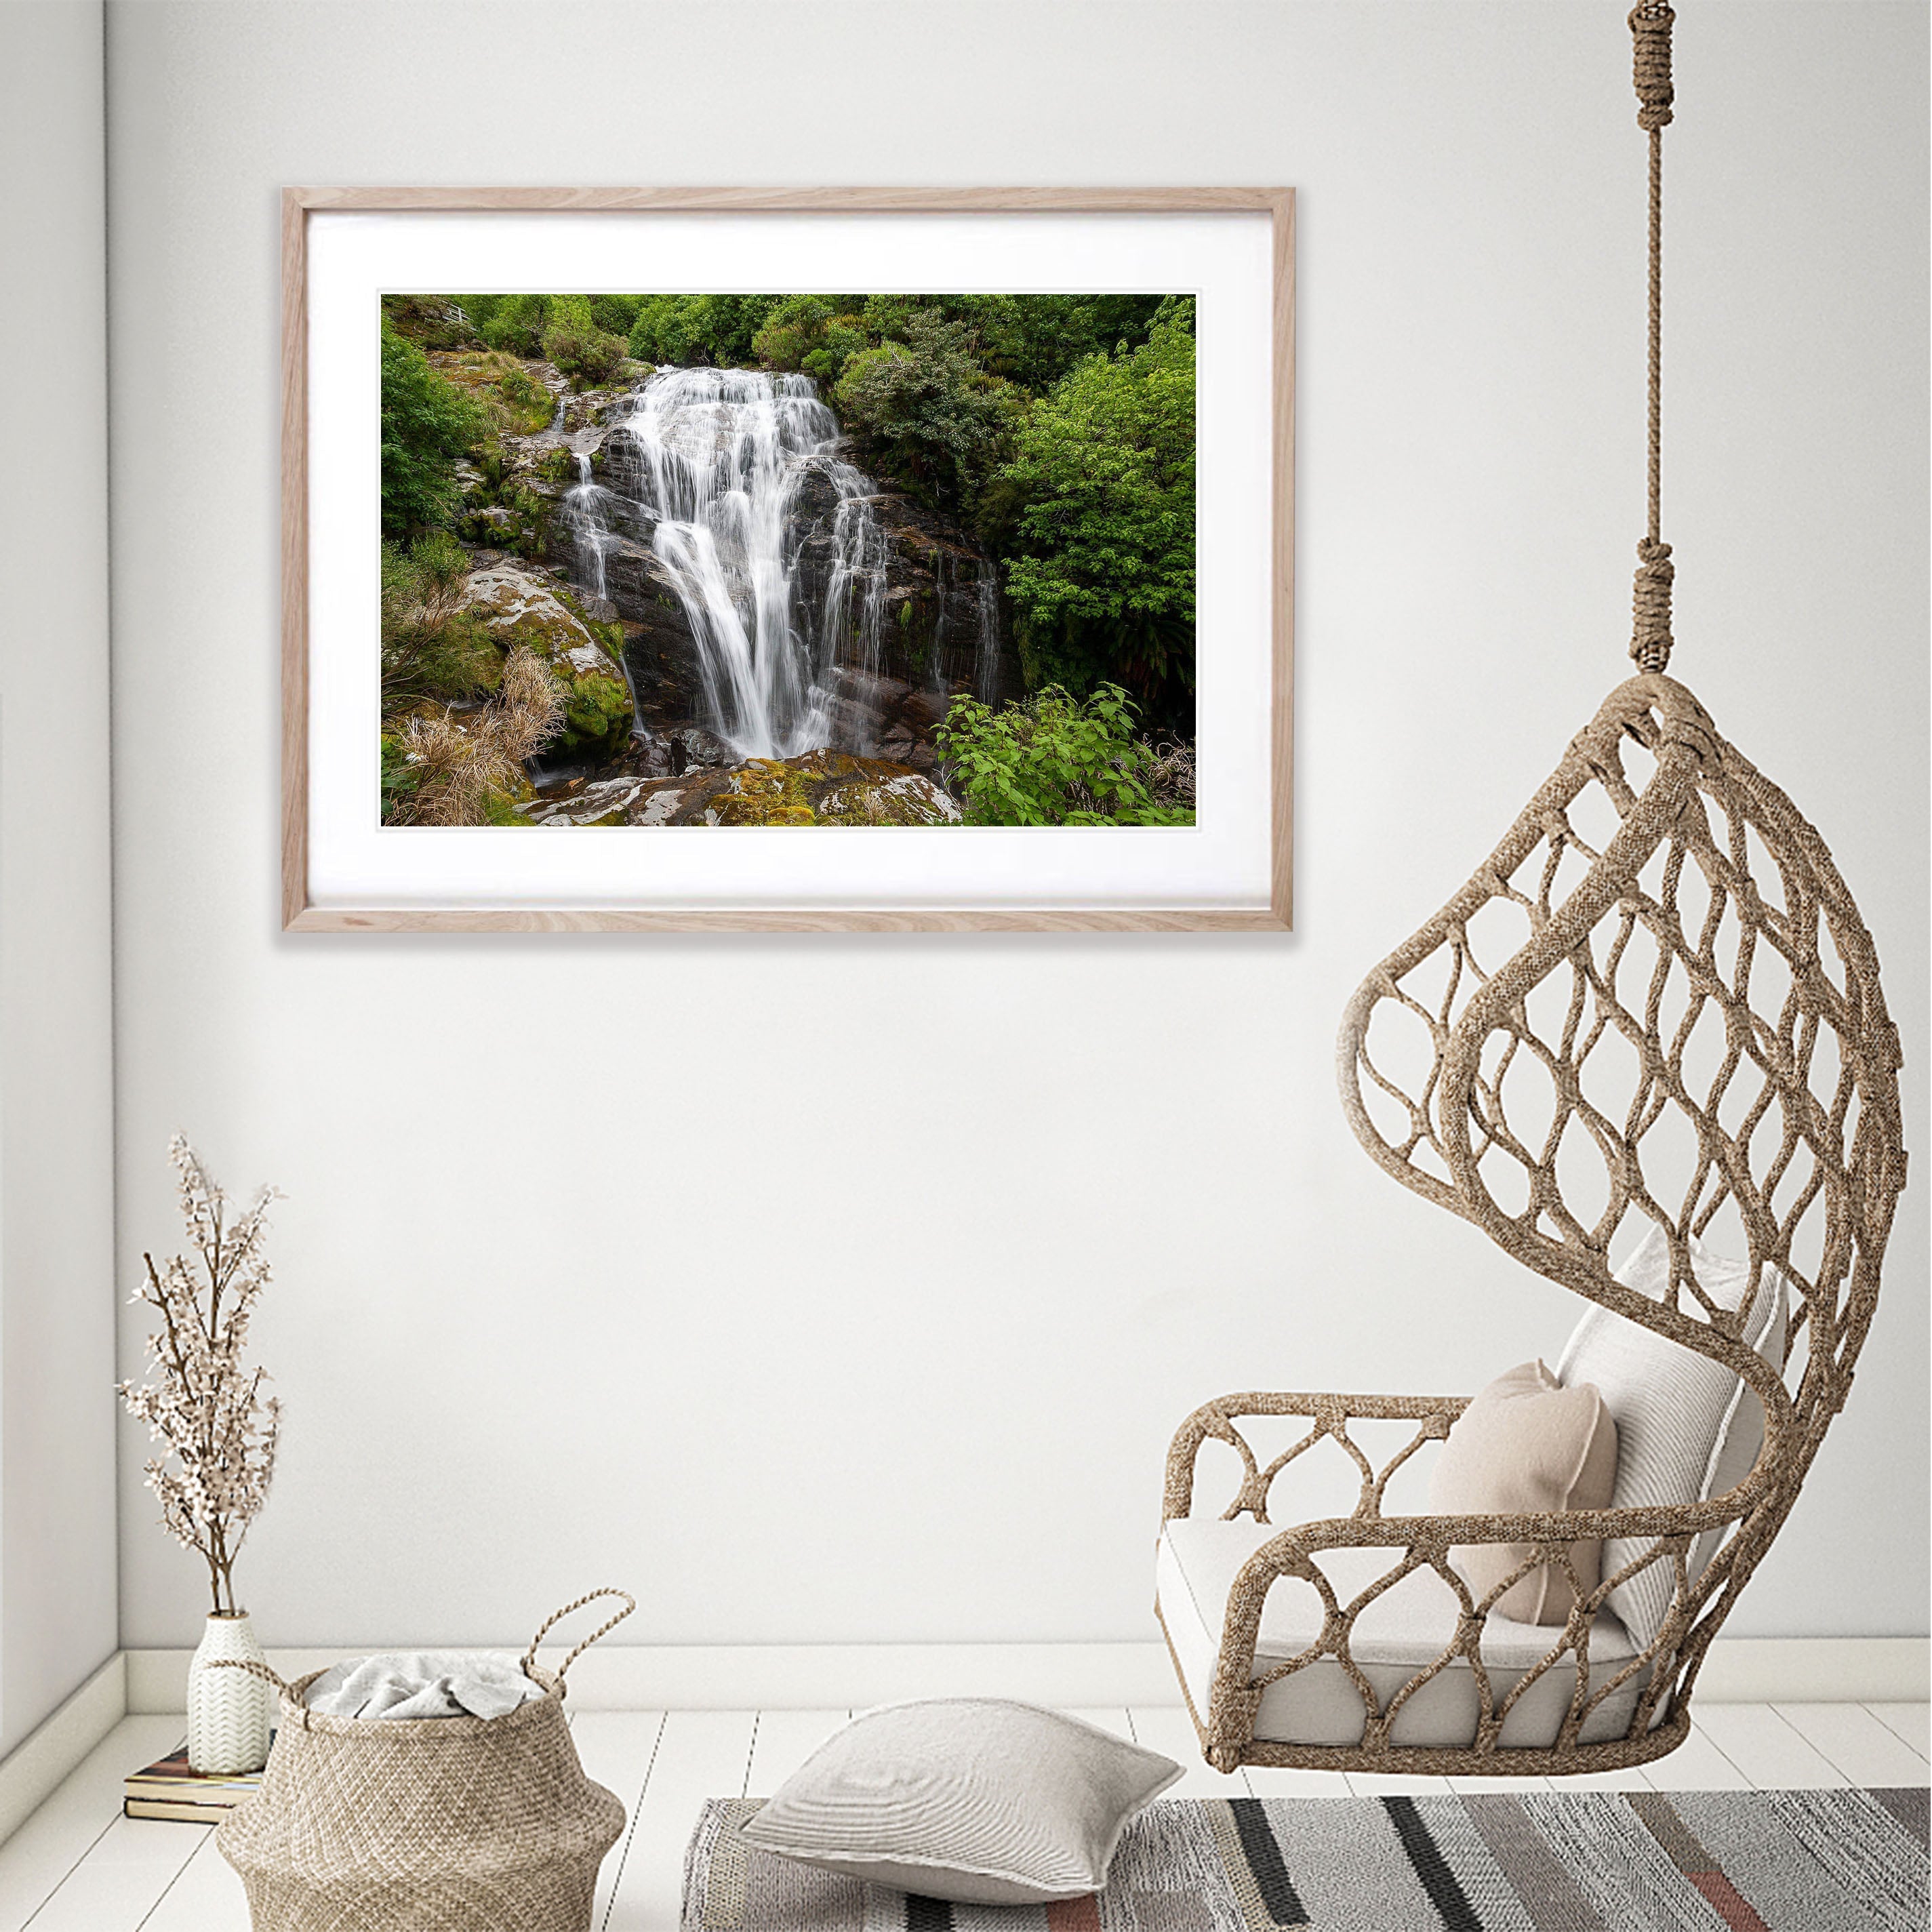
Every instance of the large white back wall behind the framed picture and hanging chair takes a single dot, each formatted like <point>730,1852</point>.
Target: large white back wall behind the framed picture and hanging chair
<point>851,1288</point>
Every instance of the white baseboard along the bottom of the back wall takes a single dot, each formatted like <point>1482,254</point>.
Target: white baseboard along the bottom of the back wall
<point>1742,1670</point>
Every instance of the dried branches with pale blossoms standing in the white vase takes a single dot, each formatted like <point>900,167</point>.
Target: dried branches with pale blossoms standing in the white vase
<point>202,1404</point>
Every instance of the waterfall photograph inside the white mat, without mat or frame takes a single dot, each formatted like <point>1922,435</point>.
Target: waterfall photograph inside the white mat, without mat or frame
<point>714,559</point>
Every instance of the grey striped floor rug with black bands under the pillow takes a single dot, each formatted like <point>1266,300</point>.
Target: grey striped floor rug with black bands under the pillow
<point>1579,1861</point>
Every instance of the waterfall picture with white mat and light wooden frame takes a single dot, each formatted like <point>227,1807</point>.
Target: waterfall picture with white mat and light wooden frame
<point>787,559</point>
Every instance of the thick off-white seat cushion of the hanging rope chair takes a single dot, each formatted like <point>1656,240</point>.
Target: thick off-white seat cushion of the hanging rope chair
<point>1402,1634</point>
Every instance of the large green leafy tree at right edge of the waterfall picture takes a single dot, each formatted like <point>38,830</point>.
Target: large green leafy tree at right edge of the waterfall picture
<point>1104,482</point>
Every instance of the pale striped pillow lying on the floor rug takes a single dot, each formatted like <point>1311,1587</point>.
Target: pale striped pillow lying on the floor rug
<point>969,1800</point>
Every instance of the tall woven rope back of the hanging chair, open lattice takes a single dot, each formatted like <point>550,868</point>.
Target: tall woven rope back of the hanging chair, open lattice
<point>1657,1006</point>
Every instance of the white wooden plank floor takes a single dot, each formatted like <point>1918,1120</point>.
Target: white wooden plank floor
<point>80,1867</point>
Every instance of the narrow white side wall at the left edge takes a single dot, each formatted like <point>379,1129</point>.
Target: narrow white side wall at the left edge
<point>57,1094</point>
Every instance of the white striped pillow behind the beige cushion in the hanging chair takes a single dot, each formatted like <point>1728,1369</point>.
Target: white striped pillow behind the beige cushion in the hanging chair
<point>1688,1429</point>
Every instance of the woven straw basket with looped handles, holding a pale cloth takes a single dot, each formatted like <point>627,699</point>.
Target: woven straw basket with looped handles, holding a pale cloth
<point>441,1825</point>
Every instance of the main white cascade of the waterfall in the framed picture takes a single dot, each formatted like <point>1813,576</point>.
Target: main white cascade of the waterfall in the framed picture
<point>722,457</point>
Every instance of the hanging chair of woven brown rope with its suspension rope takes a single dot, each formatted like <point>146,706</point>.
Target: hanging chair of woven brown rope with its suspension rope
<point>1653,1009</point>
